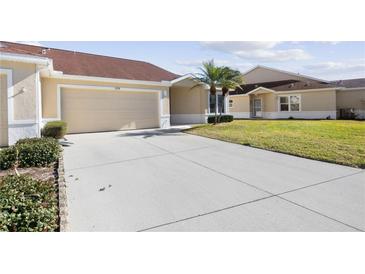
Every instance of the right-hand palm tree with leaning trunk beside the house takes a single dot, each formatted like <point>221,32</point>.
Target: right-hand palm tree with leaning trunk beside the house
<point>231,79</point>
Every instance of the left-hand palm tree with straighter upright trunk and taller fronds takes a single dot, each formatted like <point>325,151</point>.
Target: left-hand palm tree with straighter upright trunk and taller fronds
<point>210,75</point>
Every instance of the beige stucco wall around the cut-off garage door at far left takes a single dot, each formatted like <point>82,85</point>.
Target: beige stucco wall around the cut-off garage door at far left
<point>23,77</point>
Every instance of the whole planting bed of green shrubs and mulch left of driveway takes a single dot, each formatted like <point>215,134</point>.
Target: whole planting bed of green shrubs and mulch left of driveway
<point>29,186</point>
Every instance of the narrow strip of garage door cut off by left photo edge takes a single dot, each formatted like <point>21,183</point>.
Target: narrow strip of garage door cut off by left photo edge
<point>3,111</point>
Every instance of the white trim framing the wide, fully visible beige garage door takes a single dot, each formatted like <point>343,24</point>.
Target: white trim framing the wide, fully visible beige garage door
<point>164,120</point>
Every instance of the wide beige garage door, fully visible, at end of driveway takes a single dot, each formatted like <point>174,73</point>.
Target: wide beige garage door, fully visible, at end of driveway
<point>107,110</point>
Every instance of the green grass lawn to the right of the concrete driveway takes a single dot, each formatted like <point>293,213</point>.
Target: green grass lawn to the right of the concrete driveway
<point>341,142</point>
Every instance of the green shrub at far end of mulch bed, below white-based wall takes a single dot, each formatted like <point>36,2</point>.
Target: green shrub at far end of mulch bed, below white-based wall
<point>37,152</point>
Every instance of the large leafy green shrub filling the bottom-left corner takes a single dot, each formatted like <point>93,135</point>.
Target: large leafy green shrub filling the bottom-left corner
<point>27,204</point>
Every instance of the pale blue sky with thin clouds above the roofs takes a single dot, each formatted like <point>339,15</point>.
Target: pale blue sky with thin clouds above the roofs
<point>325,60</point>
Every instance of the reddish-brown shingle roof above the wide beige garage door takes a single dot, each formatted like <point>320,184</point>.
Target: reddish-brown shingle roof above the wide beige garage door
<point>87,64</point>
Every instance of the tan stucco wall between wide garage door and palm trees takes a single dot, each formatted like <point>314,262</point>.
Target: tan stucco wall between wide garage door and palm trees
<point>185,100</point>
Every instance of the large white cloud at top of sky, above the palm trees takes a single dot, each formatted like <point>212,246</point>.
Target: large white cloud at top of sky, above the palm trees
<point>260,51</point>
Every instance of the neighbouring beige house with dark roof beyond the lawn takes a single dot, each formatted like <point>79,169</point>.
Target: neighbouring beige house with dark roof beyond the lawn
<point>274,94</point>
